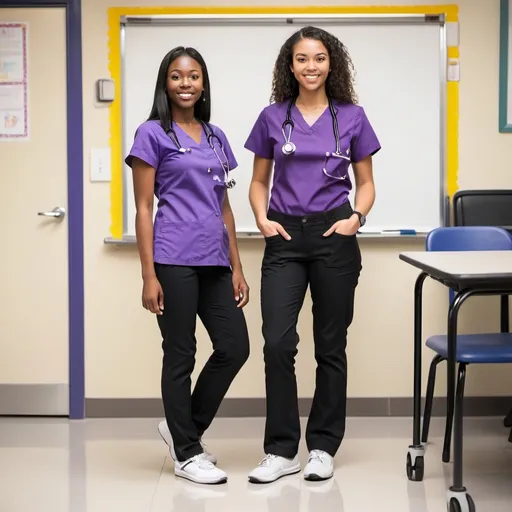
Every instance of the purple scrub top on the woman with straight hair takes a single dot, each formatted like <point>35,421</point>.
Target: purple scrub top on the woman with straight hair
<point>189,229</point>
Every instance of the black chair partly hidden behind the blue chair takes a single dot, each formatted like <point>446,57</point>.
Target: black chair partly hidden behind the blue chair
<point>487,208</point>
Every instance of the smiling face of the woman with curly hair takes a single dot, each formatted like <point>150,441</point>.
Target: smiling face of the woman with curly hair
<point>310,64</point>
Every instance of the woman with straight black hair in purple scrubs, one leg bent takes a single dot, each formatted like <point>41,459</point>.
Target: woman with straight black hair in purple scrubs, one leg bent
<point>189,255</point>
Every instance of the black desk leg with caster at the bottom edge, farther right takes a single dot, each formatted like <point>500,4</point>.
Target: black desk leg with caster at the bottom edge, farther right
<point>458,500</point>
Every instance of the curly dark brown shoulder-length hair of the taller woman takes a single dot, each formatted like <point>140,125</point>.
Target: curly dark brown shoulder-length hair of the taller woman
<point>340,82</point>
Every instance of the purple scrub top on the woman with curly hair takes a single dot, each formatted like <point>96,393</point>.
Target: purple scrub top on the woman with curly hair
<point>300,186</point>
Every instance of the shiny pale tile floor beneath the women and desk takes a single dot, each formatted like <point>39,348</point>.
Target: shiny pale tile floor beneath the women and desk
<point>49,465</point>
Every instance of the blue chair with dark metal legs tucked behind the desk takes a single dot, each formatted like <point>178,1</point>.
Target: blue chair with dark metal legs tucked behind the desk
<point>471,348</point>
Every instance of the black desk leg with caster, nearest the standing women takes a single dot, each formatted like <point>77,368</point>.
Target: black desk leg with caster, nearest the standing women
<point>415,457</point>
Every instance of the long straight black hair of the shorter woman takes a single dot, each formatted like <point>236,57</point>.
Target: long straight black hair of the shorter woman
<point>161,109</point>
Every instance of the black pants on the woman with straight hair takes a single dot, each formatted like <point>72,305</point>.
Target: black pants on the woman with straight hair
<point>207,292</point>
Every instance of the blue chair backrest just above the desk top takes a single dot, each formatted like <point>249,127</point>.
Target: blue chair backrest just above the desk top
<point>469,238</point>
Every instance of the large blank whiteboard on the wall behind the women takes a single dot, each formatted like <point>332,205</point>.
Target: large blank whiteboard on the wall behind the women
<point>400,81</point>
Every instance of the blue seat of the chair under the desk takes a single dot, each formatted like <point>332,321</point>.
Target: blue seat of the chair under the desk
<point>476,348</point>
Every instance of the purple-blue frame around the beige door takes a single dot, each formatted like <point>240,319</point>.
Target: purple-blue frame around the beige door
<point>75,191</point>
